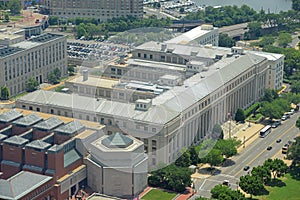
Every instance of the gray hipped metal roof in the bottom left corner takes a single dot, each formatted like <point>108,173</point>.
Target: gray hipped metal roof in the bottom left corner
<point>21,184</point>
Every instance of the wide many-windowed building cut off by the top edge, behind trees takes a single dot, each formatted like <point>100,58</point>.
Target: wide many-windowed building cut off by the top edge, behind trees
<point>102,10</point>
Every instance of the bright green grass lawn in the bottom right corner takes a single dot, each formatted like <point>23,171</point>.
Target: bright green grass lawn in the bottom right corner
<point>290,191</point>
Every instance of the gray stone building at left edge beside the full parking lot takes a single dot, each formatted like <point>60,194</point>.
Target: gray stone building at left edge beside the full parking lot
<point>35,57</point>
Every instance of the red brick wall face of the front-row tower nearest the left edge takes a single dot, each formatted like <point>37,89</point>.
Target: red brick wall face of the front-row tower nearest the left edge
<point>12,153</point>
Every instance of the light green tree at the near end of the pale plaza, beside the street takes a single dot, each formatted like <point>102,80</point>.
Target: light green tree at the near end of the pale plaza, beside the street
<point>228,148</point>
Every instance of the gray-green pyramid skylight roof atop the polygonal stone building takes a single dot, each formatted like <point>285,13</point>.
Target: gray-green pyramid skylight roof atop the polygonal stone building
<point>117,140</point>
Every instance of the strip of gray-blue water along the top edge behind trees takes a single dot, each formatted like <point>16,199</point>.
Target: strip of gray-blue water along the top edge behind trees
<point>274,6</point>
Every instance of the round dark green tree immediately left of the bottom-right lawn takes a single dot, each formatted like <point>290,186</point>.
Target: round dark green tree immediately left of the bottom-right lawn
<point>251,185</point>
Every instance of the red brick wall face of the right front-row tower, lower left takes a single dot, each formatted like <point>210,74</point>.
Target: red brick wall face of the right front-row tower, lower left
<point>33,157</point>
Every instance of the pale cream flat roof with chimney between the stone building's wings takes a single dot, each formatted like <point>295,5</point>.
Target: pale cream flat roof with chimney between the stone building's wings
<point>96,81</point>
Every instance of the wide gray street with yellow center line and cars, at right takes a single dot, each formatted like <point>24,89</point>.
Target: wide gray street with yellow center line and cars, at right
<point>253,155</point>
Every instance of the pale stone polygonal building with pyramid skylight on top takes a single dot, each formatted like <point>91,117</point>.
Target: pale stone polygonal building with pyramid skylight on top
<point>117,166</point>
